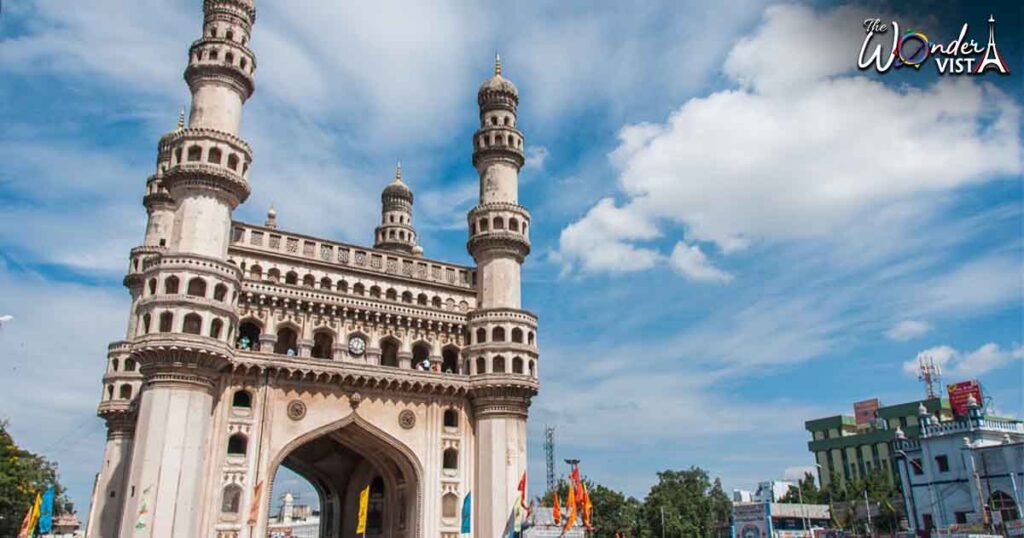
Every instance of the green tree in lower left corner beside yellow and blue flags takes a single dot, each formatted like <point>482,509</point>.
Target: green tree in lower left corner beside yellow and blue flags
<point>23,475</point>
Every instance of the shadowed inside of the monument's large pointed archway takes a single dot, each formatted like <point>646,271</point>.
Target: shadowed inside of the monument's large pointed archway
<point>340,460</point>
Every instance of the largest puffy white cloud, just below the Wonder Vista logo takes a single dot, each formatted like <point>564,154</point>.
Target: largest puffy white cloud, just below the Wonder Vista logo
<point>803,152</point>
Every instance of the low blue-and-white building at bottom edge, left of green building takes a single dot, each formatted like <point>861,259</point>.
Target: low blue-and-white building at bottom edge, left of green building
<point>773,520</point>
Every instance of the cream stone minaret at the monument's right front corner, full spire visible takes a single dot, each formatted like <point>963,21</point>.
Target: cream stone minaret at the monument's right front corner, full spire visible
<point>502,354</point>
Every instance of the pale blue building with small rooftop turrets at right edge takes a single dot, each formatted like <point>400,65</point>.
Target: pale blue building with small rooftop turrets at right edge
<point>966,472</point>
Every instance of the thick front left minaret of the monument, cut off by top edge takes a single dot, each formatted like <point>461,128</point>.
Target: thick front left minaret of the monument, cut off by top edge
<point>186,320</point>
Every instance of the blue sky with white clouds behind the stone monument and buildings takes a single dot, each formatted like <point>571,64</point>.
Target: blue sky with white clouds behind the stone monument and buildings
<point>735,229</point>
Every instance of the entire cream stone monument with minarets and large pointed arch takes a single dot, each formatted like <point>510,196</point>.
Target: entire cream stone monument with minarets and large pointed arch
<point>249,348</point>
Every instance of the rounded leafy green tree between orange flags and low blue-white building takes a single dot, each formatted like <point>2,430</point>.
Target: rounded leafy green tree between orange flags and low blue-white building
<point>690,503</point>
